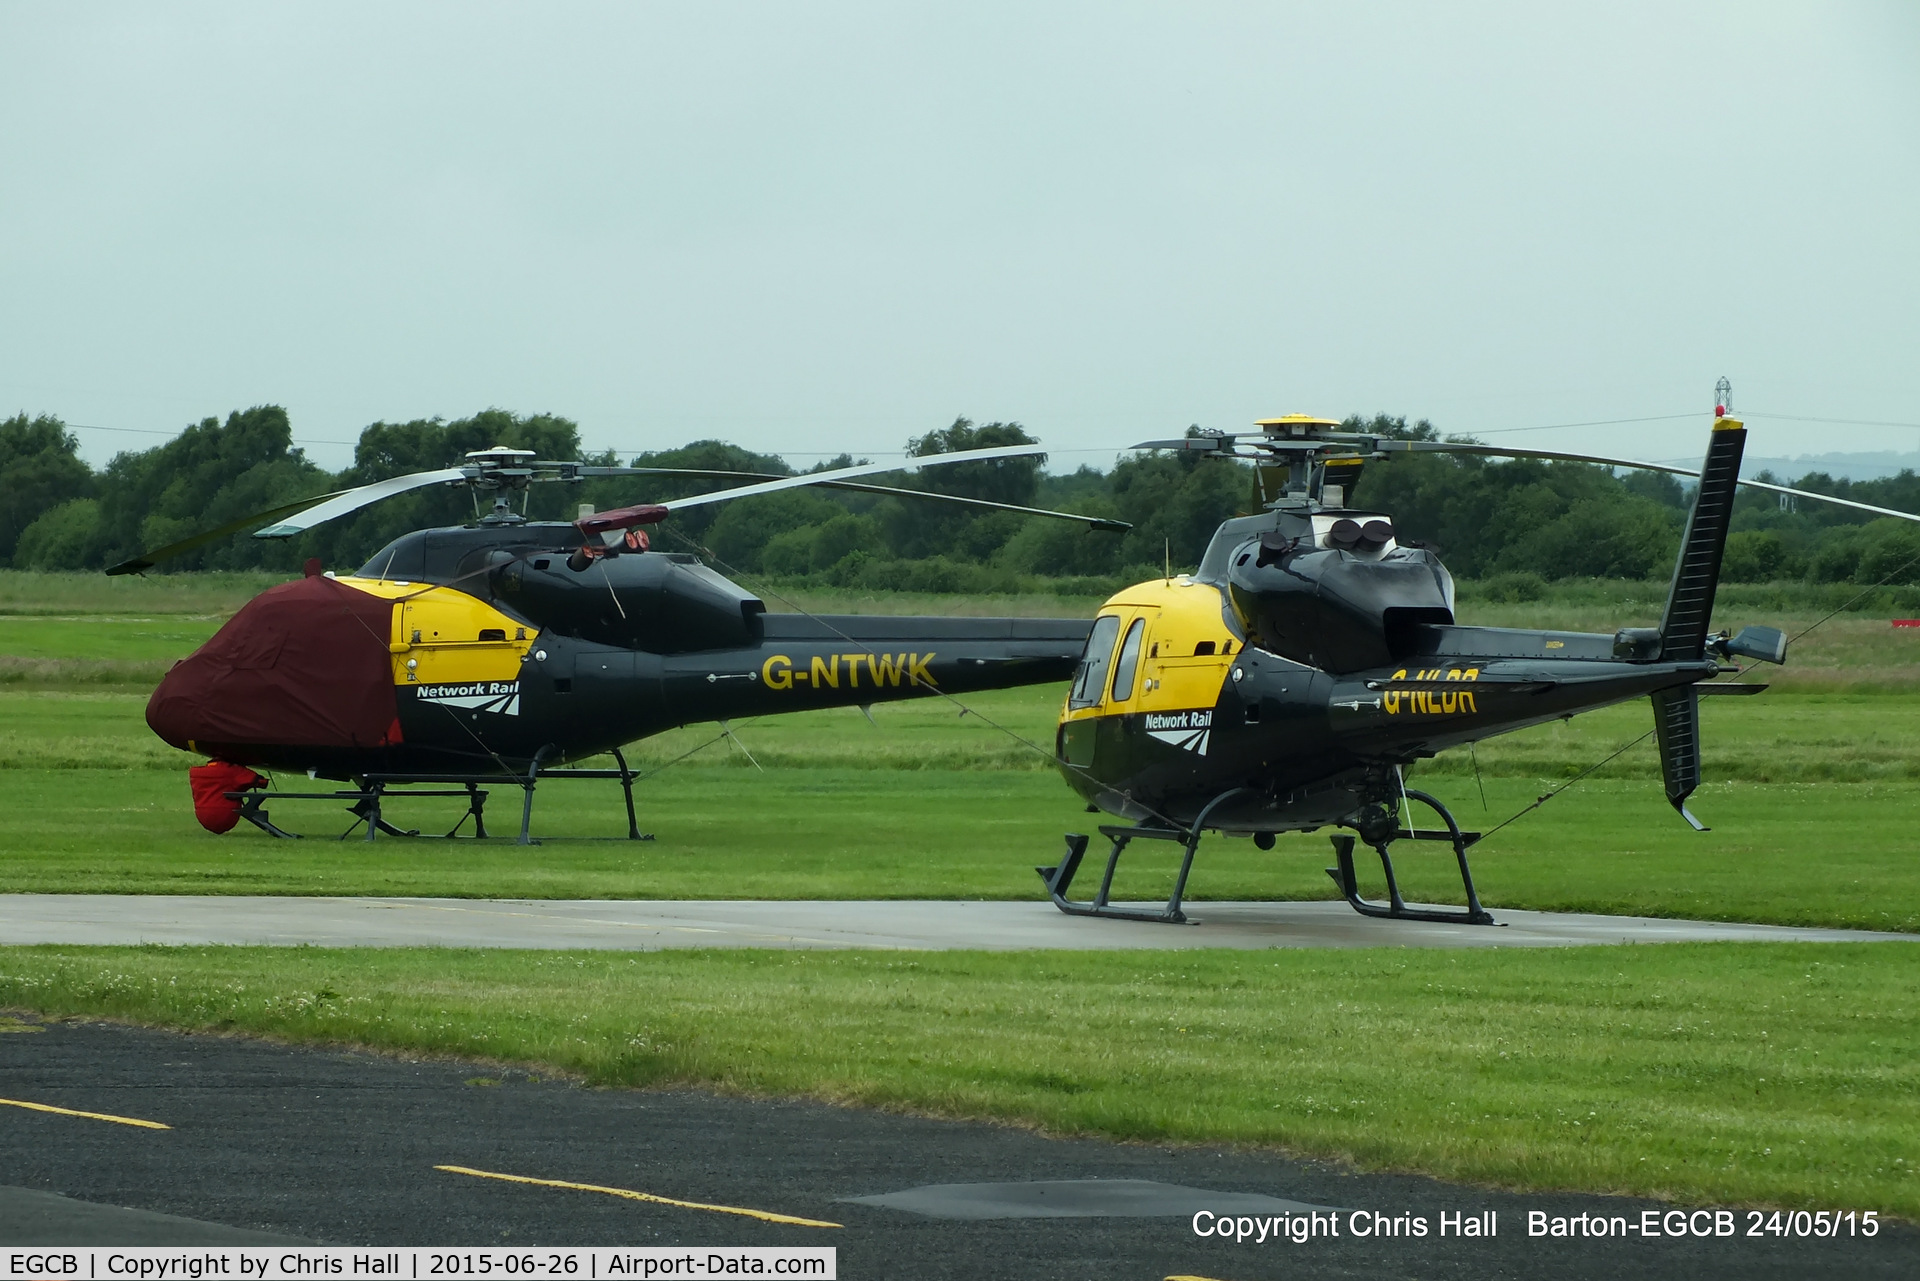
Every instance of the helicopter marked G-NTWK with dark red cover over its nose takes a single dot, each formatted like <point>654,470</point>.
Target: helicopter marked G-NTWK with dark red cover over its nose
<point>508,648</point>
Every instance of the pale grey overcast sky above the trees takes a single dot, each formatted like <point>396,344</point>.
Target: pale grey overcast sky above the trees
<point>821,228</point>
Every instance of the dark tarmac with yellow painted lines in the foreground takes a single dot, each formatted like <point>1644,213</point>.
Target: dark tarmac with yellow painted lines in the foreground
<point>348,1149</point>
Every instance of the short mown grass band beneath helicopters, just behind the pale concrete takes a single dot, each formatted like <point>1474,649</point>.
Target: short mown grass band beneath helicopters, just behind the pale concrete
<point>1796,856</point>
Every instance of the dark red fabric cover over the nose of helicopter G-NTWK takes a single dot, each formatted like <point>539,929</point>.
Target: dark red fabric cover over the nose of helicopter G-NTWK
<point>302,665</point>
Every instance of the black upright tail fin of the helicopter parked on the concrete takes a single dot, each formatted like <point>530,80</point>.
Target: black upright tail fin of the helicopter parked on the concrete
<point>1691,610</point>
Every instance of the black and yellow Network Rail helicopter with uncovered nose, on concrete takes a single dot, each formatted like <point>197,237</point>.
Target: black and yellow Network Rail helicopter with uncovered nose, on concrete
<point>1314,656</point>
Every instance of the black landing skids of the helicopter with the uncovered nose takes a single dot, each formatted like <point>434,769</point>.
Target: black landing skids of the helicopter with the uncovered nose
<point>1061,877</point>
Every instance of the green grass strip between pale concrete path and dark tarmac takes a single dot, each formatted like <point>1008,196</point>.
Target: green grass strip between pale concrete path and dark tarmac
<point>1758,1075</point>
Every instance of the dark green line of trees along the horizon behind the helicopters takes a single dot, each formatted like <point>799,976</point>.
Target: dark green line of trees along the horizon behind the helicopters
<point>1516,521</point>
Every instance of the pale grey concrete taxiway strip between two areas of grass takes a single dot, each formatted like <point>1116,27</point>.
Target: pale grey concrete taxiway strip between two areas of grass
<point>896,925</point>
